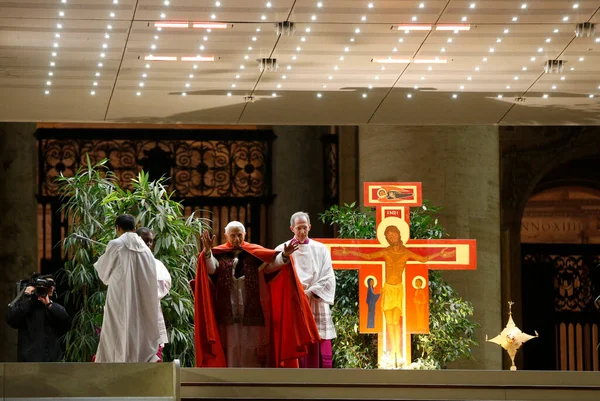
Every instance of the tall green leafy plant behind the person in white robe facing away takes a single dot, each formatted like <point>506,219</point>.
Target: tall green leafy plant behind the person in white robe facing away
<point>92,200</point>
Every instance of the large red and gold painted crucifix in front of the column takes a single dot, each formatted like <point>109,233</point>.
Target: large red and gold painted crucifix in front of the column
<point>393,269</point>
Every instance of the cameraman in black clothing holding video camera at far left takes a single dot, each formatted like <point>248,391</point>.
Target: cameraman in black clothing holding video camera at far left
<point>40,321</point>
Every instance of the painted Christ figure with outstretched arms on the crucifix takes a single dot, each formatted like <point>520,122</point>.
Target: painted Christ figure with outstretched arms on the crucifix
<point>392,294</point>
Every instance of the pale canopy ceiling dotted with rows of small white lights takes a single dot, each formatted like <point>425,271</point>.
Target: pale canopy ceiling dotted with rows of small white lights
<point>494,72</point>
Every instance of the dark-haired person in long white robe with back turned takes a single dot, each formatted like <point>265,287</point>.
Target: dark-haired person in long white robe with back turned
<point>130,329</point>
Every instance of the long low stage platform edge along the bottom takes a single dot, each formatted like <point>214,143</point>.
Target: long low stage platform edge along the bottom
<point>167,382</point>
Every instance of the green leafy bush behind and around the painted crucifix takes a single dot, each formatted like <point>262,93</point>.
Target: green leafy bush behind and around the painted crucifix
<point>451,334</point>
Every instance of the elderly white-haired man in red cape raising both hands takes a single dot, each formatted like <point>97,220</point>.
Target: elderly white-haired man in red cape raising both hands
<point>250,308</point>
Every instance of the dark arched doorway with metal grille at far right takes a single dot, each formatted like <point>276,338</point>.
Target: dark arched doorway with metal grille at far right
<point>560,258</point>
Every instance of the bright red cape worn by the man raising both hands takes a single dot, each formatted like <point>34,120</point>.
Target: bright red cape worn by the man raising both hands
<point>287,312</point>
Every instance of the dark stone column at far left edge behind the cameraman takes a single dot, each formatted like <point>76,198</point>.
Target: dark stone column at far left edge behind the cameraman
<point>18,225</point>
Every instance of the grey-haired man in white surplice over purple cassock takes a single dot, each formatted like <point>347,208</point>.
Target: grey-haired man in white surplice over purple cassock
<point>312,262</point>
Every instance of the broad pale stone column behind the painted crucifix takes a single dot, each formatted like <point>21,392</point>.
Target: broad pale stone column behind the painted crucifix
<point>459,169</point>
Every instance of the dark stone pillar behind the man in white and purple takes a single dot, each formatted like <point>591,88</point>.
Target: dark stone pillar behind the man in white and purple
<point>298,171</point>
